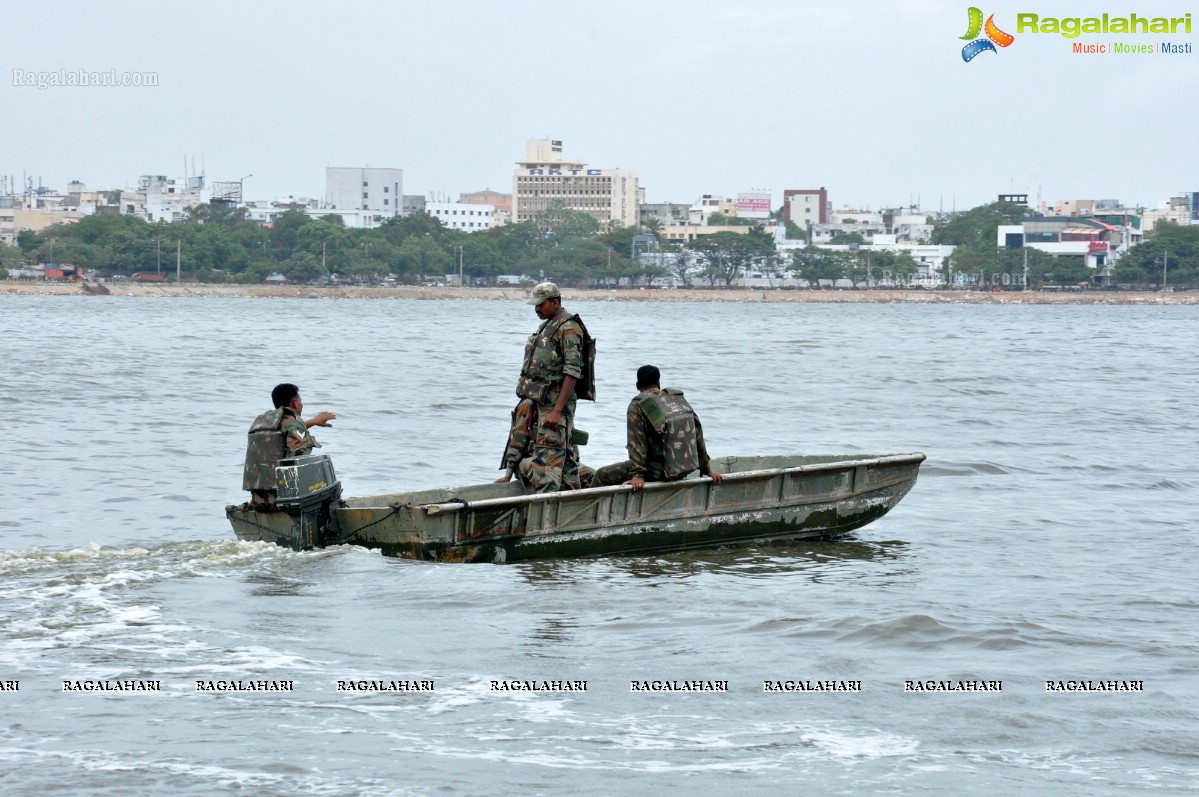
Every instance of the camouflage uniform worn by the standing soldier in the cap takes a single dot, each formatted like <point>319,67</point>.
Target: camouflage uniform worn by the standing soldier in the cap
<point>552,354</point>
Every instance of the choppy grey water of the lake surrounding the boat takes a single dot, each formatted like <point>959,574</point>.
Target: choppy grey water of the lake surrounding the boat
<point>1052,536</point>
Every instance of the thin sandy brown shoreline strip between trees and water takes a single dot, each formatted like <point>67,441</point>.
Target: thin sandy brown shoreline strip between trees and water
<point>746,295</point>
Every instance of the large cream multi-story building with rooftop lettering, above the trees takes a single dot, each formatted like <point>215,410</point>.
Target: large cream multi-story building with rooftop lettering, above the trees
<point>546,177</point>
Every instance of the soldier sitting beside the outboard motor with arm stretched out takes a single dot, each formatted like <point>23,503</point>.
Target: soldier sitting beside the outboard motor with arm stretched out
<point>275,436</point>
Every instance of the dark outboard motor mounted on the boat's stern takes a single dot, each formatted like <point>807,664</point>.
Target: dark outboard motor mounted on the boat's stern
<point>309,492</point>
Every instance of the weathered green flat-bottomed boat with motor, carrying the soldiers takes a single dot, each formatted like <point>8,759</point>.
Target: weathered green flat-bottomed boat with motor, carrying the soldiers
<point>761,499</point>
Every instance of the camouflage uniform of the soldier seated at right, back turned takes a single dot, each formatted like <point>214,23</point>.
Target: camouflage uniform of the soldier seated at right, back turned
<point>666,440</point>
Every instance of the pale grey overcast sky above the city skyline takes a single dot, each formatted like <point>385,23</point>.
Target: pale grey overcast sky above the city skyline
<point>869,99</point>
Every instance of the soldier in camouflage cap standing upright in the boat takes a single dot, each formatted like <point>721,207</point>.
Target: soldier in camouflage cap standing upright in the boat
<point>556,364</point>
